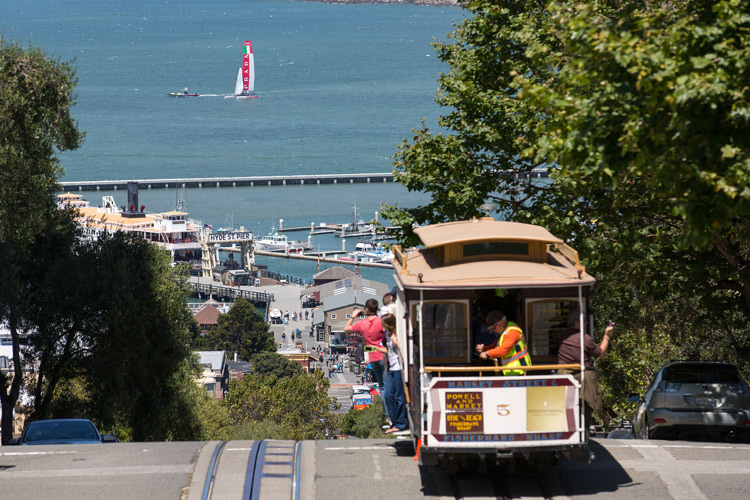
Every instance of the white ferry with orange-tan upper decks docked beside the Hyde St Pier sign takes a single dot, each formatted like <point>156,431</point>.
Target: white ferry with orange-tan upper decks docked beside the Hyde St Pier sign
<point>172,231</point>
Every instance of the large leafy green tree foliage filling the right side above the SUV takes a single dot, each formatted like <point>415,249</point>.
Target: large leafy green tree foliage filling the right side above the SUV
<point>640,112</point>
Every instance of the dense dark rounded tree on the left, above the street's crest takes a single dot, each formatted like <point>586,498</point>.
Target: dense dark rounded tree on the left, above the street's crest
<point>139,373</point>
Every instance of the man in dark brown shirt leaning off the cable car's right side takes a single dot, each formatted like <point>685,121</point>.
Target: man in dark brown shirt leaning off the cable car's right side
<point>569,352</point>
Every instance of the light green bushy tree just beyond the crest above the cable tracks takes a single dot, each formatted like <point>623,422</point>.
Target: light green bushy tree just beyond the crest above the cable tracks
<point>299,404</point>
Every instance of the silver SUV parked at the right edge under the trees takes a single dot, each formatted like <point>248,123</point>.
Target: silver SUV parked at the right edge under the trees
<point>694,399</point>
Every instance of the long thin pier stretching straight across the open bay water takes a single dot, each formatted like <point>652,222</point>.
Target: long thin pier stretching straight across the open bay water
<point>256,181</point>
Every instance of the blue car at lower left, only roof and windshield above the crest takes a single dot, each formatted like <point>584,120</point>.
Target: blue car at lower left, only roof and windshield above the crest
<point>62,431</point>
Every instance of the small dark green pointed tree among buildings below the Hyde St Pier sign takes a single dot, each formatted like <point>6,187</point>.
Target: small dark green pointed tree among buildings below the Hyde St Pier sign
<point>242,330</point>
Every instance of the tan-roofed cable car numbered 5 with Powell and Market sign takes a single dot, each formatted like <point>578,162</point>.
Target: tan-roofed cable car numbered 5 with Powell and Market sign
<point>462,406</point>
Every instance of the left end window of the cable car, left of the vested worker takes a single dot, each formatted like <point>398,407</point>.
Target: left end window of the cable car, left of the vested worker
<point>446,331</point>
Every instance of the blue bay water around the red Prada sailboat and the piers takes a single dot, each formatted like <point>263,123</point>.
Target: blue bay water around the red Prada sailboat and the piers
<point>339,87</point>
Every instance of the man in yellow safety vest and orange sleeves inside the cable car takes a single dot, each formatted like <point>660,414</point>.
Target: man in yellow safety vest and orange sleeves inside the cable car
<point>510,348</point>
